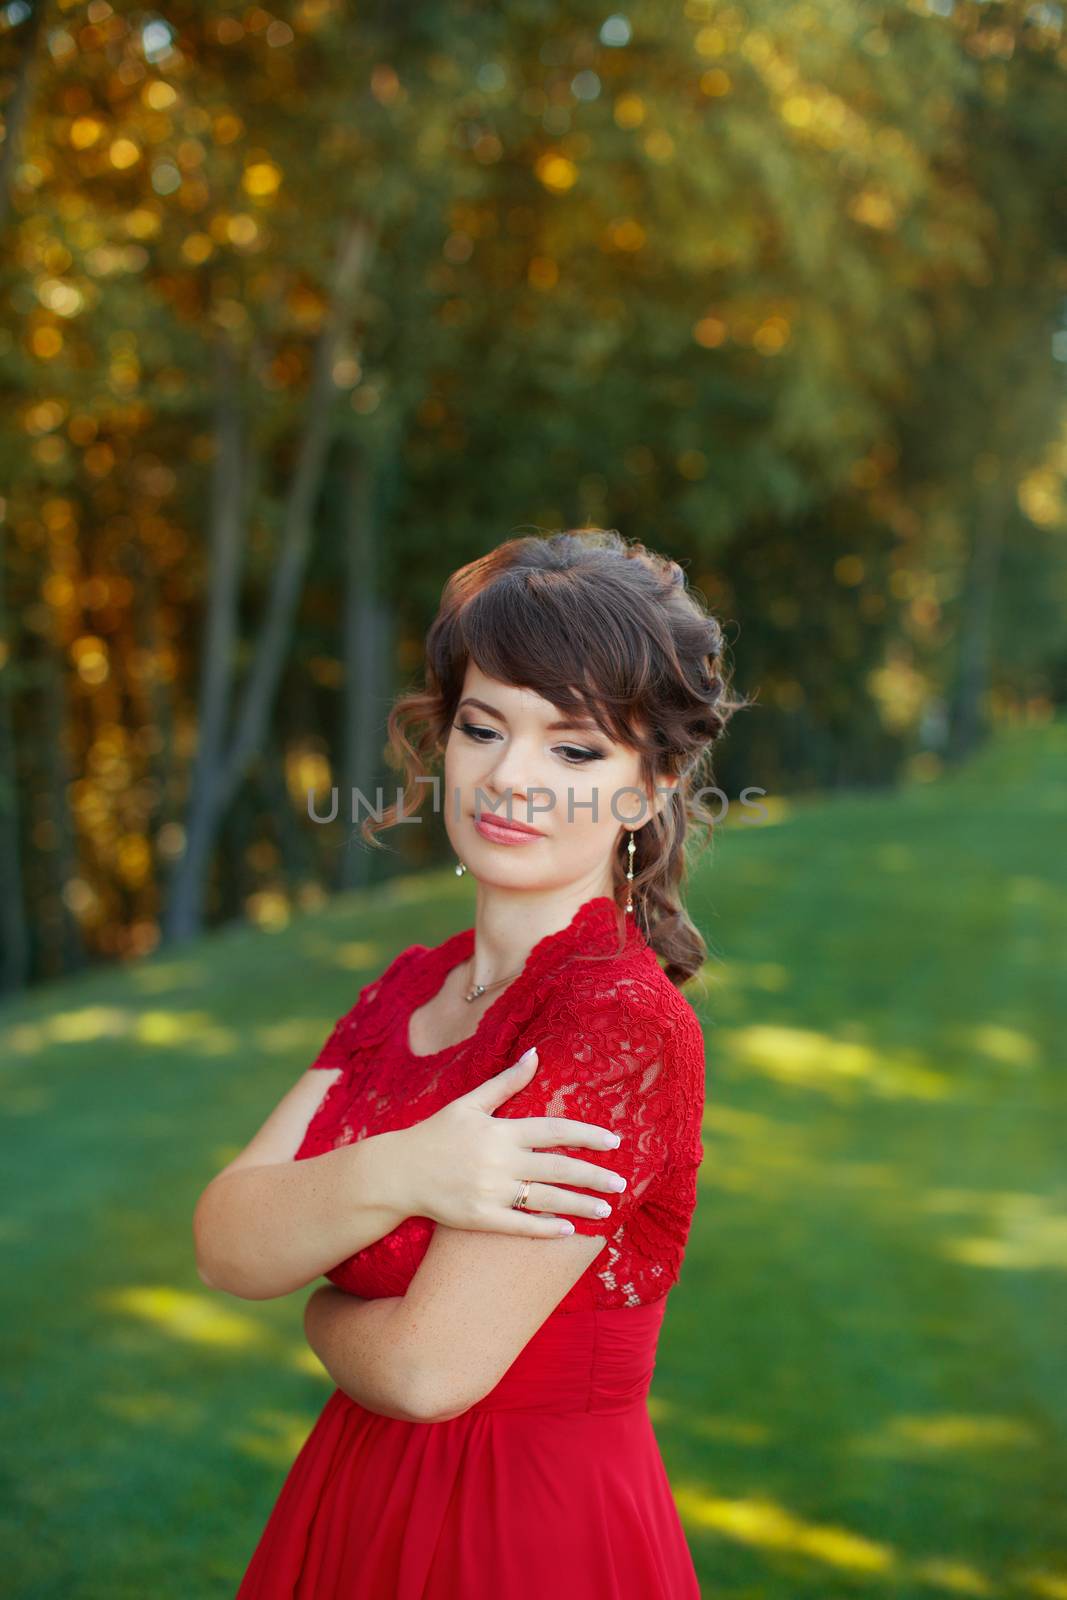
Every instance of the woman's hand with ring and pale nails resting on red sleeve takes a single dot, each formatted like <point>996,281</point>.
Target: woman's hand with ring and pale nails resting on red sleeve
<point>463,1166</point>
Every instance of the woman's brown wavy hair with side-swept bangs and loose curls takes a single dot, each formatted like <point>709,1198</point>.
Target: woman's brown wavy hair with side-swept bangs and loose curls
<point>604,626</point>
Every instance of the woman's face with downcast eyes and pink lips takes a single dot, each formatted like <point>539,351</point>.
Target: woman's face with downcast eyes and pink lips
<point>513,756</point>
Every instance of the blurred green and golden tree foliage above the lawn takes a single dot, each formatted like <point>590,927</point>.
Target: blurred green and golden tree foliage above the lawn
<point>778,292</point>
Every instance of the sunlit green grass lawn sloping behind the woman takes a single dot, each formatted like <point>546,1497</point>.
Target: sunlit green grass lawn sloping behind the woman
<point>861,1377</point>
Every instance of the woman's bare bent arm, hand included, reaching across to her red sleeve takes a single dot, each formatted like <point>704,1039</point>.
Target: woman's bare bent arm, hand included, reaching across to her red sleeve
<point>270,1225</point>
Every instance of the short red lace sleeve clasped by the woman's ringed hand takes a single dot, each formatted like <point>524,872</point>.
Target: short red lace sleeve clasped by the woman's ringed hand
<point>610,1060</point>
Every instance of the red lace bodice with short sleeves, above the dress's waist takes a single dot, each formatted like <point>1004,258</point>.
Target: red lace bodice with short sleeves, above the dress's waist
<point>618,1046</point>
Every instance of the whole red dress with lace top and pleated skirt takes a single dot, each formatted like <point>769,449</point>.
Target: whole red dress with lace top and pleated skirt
<point>553,1482</point>
